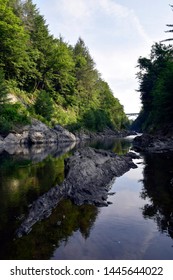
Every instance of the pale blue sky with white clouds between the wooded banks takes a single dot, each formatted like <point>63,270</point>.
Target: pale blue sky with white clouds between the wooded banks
<point>116,32</point>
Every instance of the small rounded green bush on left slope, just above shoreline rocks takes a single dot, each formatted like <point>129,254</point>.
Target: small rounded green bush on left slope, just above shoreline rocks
<point>44,105</point>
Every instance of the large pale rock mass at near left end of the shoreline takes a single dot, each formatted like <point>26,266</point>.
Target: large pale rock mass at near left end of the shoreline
<point>37,133</point>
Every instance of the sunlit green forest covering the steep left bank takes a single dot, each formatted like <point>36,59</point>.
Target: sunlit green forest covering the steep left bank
<point>51,80</point>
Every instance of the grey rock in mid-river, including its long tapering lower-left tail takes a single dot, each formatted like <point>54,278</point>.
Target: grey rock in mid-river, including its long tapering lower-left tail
<point>89,174</point>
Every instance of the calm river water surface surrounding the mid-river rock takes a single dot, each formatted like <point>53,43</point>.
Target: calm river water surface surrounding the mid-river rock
<point>138,224</point>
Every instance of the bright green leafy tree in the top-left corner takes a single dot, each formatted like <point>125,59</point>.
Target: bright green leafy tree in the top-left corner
<point>13,43</point>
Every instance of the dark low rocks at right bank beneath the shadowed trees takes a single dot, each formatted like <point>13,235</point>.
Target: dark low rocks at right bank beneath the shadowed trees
<point>155,144</point>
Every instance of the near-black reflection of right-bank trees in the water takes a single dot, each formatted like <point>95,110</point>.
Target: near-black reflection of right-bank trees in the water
<point>158,173</point>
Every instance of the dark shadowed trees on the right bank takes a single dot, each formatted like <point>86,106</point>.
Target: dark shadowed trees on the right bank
<point>155,78</point>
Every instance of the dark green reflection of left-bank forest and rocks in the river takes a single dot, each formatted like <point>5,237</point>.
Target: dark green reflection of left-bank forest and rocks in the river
<point>25,174</point>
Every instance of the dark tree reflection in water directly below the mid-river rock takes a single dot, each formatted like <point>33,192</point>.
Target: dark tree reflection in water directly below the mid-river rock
<point>66,219</point>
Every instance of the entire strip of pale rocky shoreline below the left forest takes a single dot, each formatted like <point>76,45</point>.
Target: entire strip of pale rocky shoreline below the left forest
<point>37,133</point>
